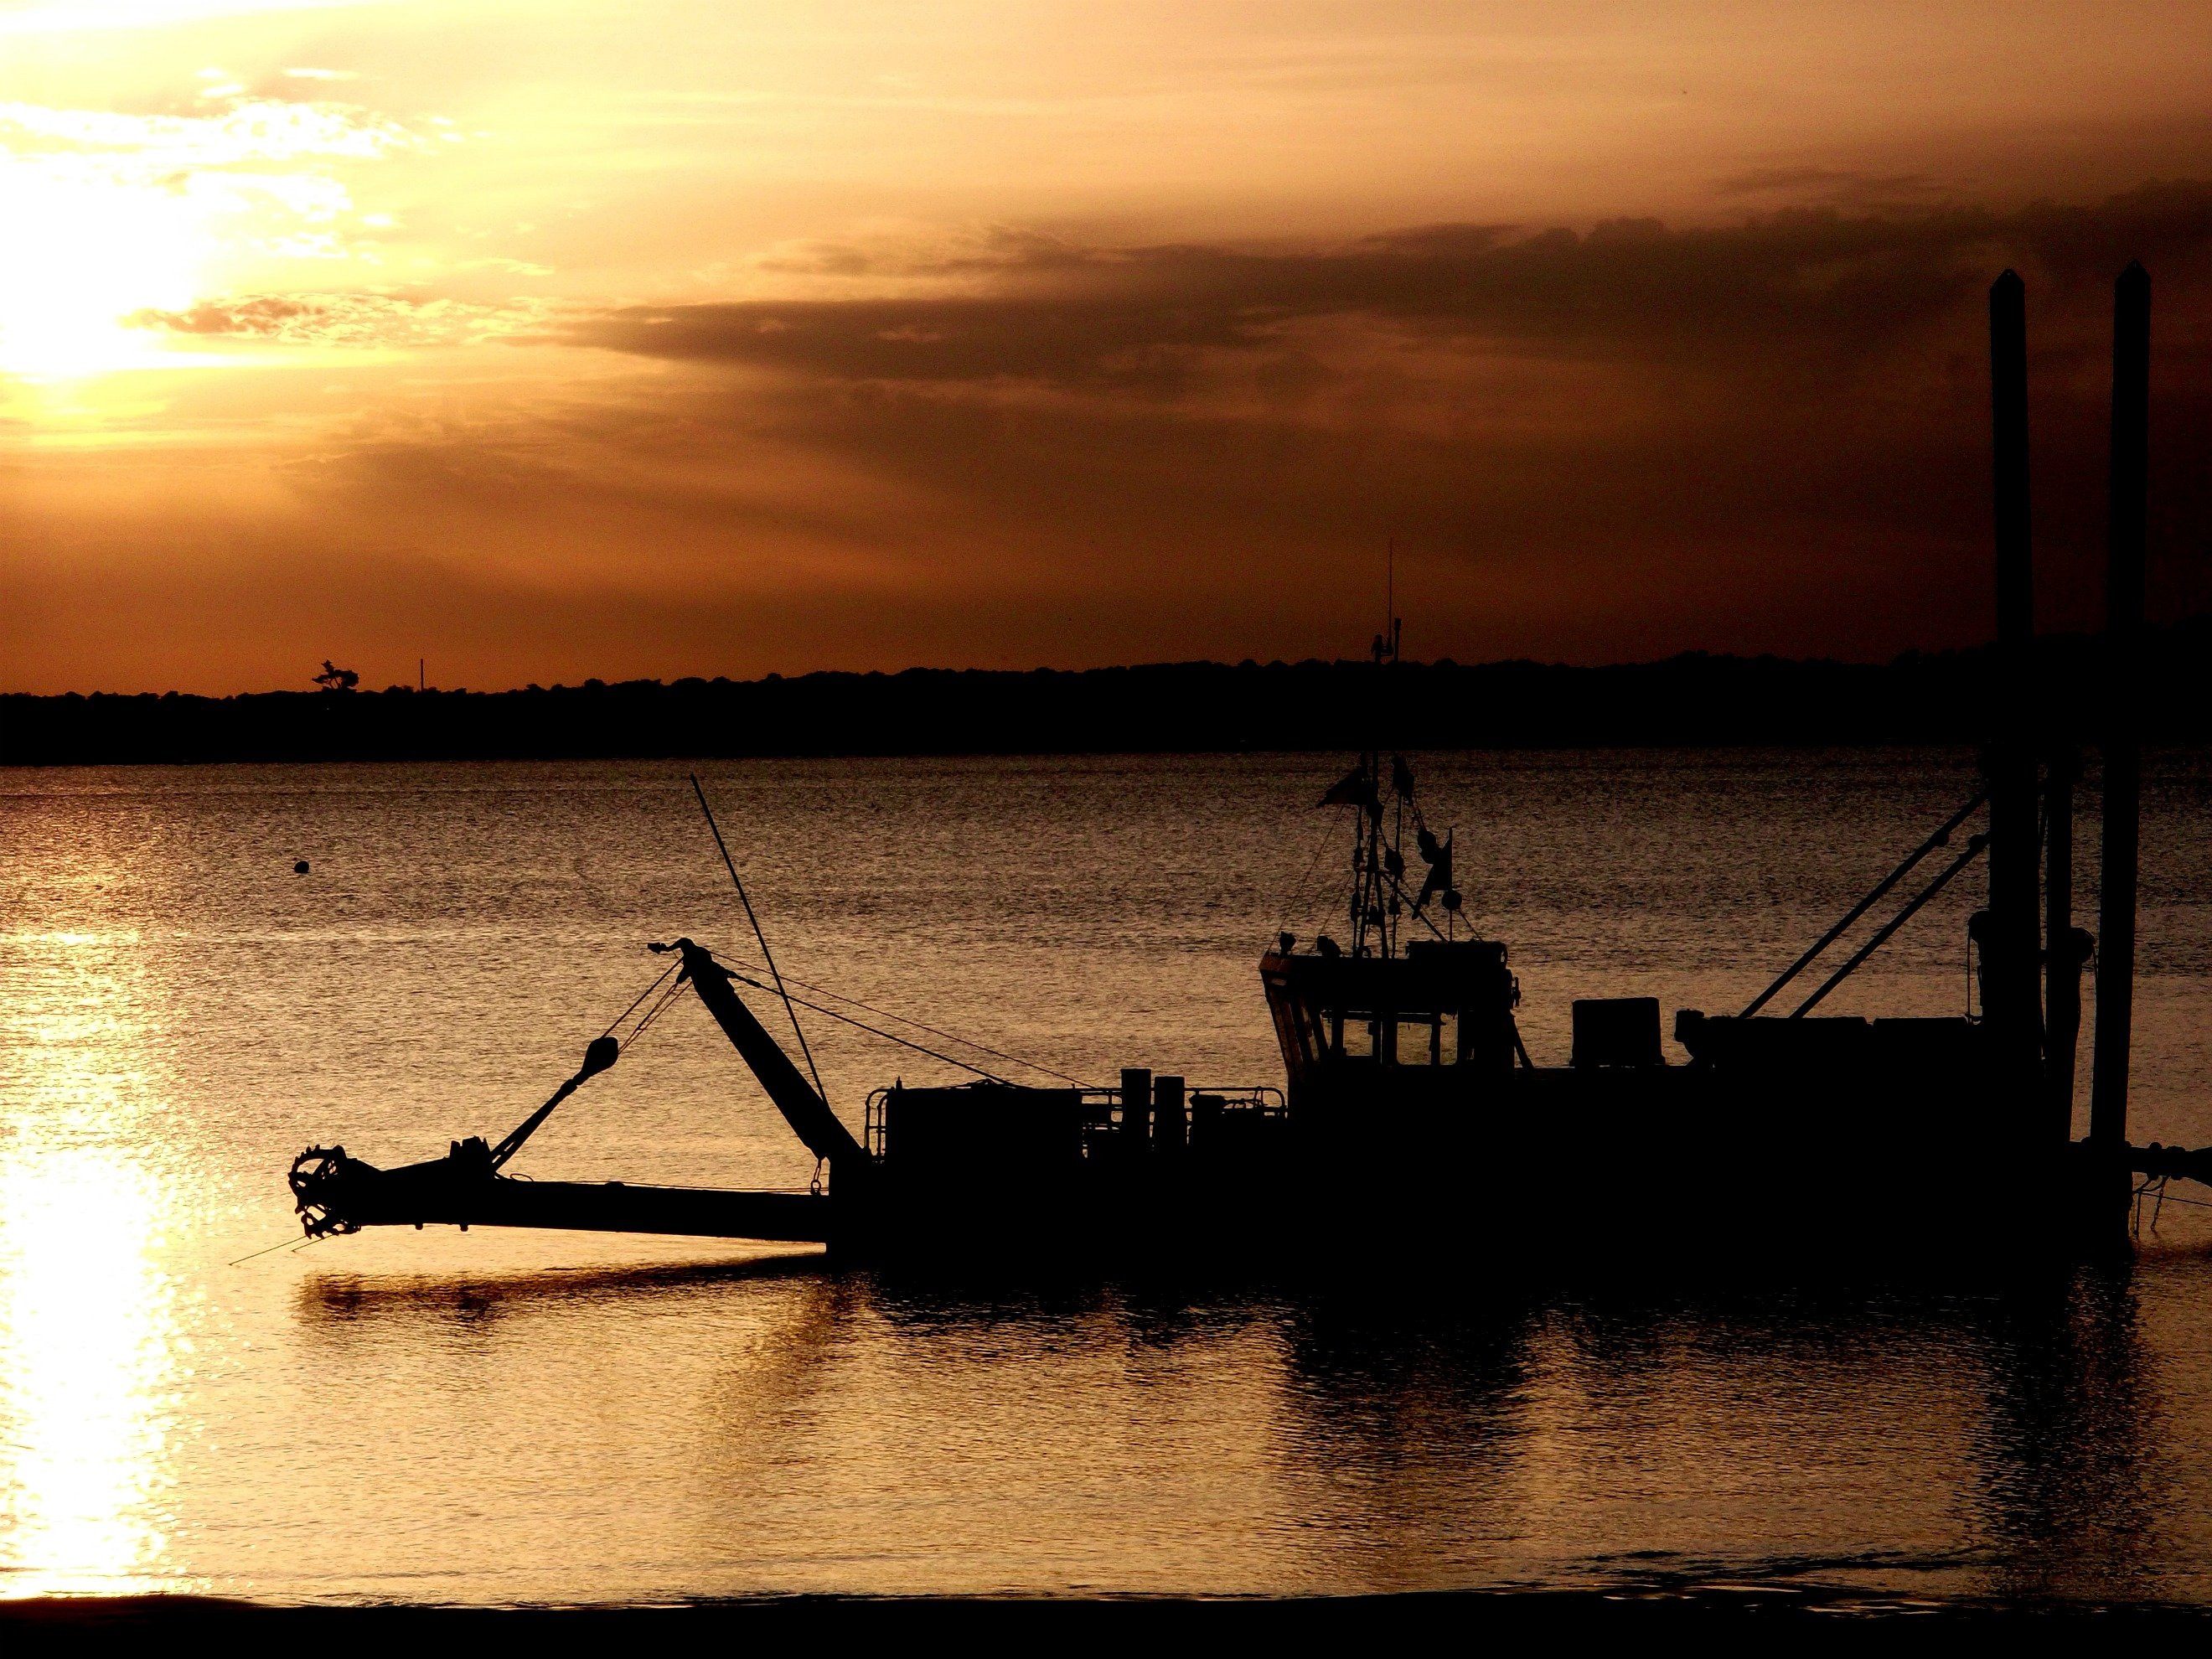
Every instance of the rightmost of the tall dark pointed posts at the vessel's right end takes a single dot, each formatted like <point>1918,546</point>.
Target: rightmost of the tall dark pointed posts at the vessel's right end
<point>2122,742</point>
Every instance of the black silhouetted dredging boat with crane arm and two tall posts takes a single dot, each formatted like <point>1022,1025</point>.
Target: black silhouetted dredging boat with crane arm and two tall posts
<point>1410,1116</point>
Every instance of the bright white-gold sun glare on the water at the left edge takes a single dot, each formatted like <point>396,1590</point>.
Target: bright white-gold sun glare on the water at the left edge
<point>90,1326</point>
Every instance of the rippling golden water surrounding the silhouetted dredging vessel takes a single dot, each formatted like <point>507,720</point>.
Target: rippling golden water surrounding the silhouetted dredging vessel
<point>552,1417</point>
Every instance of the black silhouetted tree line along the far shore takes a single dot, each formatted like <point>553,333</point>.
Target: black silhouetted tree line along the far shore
<point>1691,700</point>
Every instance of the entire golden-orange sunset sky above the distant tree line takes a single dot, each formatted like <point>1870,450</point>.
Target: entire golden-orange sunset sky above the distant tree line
<point>716,340</point>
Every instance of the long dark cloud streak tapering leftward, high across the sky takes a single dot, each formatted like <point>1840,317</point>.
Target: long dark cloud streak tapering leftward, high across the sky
<point>1804,282</point>
